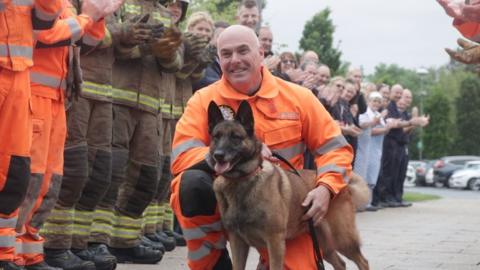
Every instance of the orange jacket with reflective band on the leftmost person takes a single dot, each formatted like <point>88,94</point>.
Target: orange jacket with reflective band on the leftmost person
<point>17,21</point>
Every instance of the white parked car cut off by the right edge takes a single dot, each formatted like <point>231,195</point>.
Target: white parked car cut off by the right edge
<point>468,177</point>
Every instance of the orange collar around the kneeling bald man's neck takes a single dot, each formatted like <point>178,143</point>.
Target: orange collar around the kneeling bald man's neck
<point>268,88</point>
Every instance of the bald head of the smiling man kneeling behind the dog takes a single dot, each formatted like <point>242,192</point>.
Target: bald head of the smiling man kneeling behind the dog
<point>241,58</point>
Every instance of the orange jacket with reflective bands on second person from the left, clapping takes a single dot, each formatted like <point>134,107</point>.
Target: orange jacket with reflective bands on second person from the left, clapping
<point>49,74</point>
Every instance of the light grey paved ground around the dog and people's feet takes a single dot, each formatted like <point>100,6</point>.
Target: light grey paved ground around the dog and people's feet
<point>441,234</point>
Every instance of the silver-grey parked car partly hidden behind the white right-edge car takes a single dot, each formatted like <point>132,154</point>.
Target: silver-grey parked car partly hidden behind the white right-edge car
<point>445,166</point>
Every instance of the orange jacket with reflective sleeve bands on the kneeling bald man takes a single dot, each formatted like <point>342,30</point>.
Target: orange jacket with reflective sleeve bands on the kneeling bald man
<point>288,119</point>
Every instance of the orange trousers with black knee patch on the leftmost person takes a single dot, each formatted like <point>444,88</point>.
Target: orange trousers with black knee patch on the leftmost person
<point>15,141</point>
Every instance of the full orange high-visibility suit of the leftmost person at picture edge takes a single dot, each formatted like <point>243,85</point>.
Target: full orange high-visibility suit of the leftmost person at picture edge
<point>18,19</point>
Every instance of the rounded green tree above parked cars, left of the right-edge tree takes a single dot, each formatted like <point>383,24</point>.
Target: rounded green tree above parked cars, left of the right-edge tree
<point>437,136</point>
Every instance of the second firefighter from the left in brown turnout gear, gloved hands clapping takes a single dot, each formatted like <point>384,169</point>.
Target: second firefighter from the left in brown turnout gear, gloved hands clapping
<point>143,47</point>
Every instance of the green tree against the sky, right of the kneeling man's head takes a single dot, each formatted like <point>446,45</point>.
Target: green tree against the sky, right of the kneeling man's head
<point>318,37</point>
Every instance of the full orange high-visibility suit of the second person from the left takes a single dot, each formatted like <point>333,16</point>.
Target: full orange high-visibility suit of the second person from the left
<point>48,83</point>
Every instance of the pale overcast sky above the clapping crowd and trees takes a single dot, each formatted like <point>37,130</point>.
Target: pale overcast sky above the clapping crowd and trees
<point>410,33</point>
